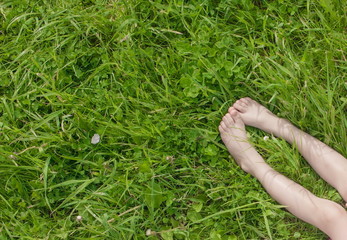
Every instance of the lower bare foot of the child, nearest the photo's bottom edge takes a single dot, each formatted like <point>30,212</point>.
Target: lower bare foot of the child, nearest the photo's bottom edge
<point>233,133</point>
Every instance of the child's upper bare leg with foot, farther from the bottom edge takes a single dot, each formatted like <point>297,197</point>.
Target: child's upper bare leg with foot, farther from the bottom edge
<point>328,163</point>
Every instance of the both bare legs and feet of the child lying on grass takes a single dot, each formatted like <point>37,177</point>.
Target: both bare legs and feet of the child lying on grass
<point>326,215</point>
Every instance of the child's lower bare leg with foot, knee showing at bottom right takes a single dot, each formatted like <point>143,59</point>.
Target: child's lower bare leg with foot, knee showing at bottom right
<point>326,215</point>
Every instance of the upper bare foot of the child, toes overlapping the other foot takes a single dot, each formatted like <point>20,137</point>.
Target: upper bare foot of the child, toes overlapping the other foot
<point>256,115</point>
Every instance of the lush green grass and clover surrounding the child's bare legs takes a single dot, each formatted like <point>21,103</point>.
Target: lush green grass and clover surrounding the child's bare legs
<point>153,79</point>
